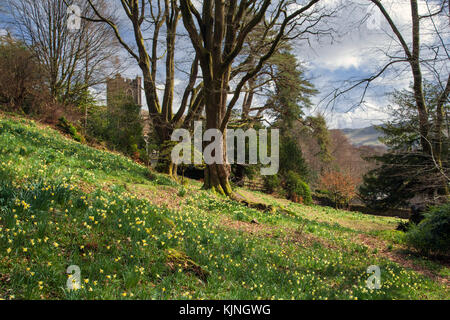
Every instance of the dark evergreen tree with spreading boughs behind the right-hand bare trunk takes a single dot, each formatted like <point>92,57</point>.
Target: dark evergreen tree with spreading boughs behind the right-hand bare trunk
<point>405,172</point>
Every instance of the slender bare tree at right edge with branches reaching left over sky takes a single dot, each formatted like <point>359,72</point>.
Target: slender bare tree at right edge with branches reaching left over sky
<point>420,58</point>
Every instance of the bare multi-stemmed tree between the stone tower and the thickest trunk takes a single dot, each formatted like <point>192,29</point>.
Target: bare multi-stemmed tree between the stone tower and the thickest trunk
<point>152,18</point>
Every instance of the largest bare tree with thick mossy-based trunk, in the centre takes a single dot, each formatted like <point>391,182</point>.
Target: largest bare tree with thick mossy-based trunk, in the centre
<point>218,33</point>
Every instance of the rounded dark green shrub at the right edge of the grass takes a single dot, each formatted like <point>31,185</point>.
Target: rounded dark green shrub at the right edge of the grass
<point>432,235</point>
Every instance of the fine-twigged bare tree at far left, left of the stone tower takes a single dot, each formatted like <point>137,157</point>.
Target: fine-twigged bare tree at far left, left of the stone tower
<point>73,60</point>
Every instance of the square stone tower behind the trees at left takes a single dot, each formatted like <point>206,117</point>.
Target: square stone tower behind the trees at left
<point>119,89</point>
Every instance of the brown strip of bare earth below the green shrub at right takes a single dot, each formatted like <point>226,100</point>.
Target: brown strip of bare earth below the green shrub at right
<point>399,256</point>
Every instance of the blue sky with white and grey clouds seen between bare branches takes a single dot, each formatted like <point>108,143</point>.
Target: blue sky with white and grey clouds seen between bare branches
<point>354,50</point>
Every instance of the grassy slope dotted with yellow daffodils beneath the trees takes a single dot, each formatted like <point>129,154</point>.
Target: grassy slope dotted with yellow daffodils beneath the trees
<point>63,203</point>
